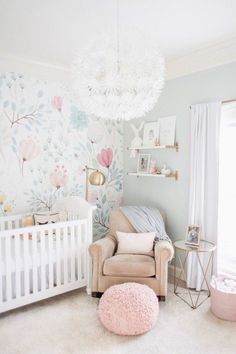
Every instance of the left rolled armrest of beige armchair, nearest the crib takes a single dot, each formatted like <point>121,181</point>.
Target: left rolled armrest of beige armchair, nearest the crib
<point>100,251</point>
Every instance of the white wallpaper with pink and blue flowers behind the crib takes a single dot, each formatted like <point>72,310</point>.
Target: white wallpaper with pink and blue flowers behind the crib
<point>46,140</point>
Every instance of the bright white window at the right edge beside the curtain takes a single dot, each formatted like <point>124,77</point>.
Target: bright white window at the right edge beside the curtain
<point>227,192</point>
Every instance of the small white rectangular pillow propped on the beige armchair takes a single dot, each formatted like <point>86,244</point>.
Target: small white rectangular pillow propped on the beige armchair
<point>135,243</point>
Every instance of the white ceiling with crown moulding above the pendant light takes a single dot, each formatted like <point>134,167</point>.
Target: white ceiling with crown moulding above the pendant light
<point>52,31</point>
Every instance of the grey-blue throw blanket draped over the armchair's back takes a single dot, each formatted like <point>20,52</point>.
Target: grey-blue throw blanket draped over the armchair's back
<point>146,219</point>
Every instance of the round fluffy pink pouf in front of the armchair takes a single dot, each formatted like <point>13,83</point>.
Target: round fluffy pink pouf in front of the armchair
<point>128,309</point>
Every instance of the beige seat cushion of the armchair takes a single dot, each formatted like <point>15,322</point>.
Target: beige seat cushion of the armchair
<point>130,265</point>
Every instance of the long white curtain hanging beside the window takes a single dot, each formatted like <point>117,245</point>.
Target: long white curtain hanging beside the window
<point>204,174</point>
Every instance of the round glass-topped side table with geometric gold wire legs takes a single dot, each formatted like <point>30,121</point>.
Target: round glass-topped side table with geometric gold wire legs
<point>206,249</point>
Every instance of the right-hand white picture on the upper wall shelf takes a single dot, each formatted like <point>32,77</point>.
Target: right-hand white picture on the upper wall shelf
<point>167,130</point>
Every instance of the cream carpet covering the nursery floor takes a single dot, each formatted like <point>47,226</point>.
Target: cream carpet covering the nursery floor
<point>68,324</point>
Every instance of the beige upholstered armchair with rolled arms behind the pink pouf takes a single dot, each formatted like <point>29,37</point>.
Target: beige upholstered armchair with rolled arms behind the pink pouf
<point>109,269</point>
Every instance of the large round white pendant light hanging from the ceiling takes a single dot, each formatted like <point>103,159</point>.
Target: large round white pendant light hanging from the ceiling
<point>119,79</point>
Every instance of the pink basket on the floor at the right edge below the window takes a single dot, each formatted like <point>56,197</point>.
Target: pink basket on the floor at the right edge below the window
<point>223,304</point>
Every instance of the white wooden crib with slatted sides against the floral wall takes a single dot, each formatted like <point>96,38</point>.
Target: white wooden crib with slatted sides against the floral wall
<point>41,261</point>
